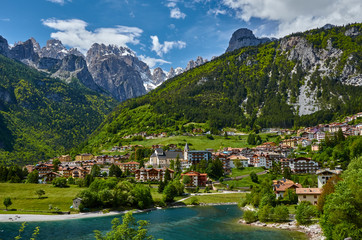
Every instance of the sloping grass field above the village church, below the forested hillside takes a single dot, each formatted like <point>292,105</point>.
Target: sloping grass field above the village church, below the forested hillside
<point>201,142</point>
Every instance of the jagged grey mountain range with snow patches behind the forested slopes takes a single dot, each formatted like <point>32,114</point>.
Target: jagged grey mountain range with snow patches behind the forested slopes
<point>111,70</point>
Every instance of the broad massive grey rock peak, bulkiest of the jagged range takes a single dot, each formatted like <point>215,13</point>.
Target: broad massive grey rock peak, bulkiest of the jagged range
<point>117,70</point>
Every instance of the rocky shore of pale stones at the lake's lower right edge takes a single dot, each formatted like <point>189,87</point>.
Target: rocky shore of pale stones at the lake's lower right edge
<point>314,231</point>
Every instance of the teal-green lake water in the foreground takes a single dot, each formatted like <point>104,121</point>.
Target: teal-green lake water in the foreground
<point>204,223</point>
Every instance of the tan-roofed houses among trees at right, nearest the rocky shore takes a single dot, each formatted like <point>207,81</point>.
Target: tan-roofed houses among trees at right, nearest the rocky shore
<point>305,194</point>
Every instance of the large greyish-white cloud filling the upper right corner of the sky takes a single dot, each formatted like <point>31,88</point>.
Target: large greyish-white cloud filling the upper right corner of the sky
<point>297,15</point>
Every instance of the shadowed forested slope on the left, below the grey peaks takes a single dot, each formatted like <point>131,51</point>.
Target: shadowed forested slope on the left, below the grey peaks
<point>42,117</point>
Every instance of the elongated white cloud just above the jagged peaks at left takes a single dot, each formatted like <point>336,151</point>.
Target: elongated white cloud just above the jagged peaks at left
<point>73,33</point>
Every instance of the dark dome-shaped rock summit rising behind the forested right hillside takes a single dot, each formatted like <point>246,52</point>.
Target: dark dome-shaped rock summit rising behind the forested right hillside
<point>244,37</point>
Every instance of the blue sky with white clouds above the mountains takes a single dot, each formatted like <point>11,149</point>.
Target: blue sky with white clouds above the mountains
<point>169,32</point>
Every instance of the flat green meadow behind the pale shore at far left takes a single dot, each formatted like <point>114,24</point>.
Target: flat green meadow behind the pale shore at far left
<point>24,198</point>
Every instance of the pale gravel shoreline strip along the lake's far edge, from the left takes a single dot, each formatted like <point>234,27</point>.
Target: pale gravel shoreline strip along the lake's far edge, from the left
<point>43,218</point>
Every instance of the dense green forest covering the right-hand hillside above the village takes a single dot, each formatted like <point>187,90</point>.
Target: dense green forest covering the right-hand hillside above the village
<point>249,88</point>
